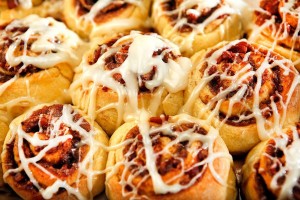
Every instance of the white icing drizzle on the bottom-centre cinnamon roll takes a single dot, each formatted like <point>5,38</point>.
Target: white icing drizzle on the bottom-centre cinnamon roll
<point>190,136</point>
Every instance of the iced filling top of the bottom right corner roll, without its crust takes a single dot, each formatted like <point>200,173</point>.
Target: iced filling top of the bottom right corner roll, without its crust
<point>281,162</point>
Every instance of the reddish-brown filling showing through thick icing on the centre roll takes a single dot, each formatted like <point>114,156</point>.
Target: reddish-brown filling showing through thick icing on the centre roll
<point>116,59</point>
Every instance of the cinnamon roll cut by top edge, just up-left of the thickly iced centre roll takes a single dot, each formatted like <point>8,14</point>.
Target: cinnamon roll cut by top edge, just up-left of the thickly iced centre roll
<point>104,18</point>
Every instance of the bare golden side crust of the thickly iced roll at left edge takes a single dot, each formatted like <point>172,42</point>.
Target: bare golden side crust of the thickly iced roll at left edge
<point>35,88</point>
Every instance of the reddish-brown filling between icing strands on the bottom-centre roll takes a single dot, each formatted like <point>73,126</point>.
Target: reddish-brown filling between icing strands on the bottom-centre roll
<point>167,165</point>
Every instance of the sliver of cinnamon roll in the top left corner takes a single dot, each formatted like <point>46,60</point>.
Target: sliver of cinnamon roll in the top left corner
<point>18,9</point>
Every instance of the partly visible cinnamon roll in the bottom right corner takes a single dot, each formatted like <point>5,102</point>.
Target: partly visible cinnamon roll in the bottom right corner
<point>272,170</point>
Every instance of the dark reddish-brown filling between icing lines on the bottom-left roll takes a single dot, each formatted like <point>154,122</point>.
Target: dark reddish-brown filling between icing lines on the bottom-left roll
<point>61,161</point>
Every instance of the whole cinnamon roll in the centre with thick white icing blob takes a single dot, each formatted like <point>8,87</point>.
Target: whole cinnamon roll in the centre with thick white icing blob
<point>128,73</point>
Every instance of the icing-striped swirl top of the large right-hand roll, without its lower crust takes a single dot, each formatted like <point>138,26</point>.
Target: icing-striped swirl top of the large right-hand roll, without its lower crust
<point>245,85</point>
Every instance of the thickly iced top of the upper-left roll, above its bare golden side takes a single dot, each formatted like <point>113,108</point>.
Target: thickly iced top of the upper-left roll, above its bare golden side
<point>32,44</point>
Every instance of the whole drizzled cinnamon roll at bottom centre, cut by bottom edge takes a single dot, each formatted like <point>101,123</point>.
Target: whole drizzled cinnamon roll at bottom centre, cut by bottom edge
<point>164,157</point>
